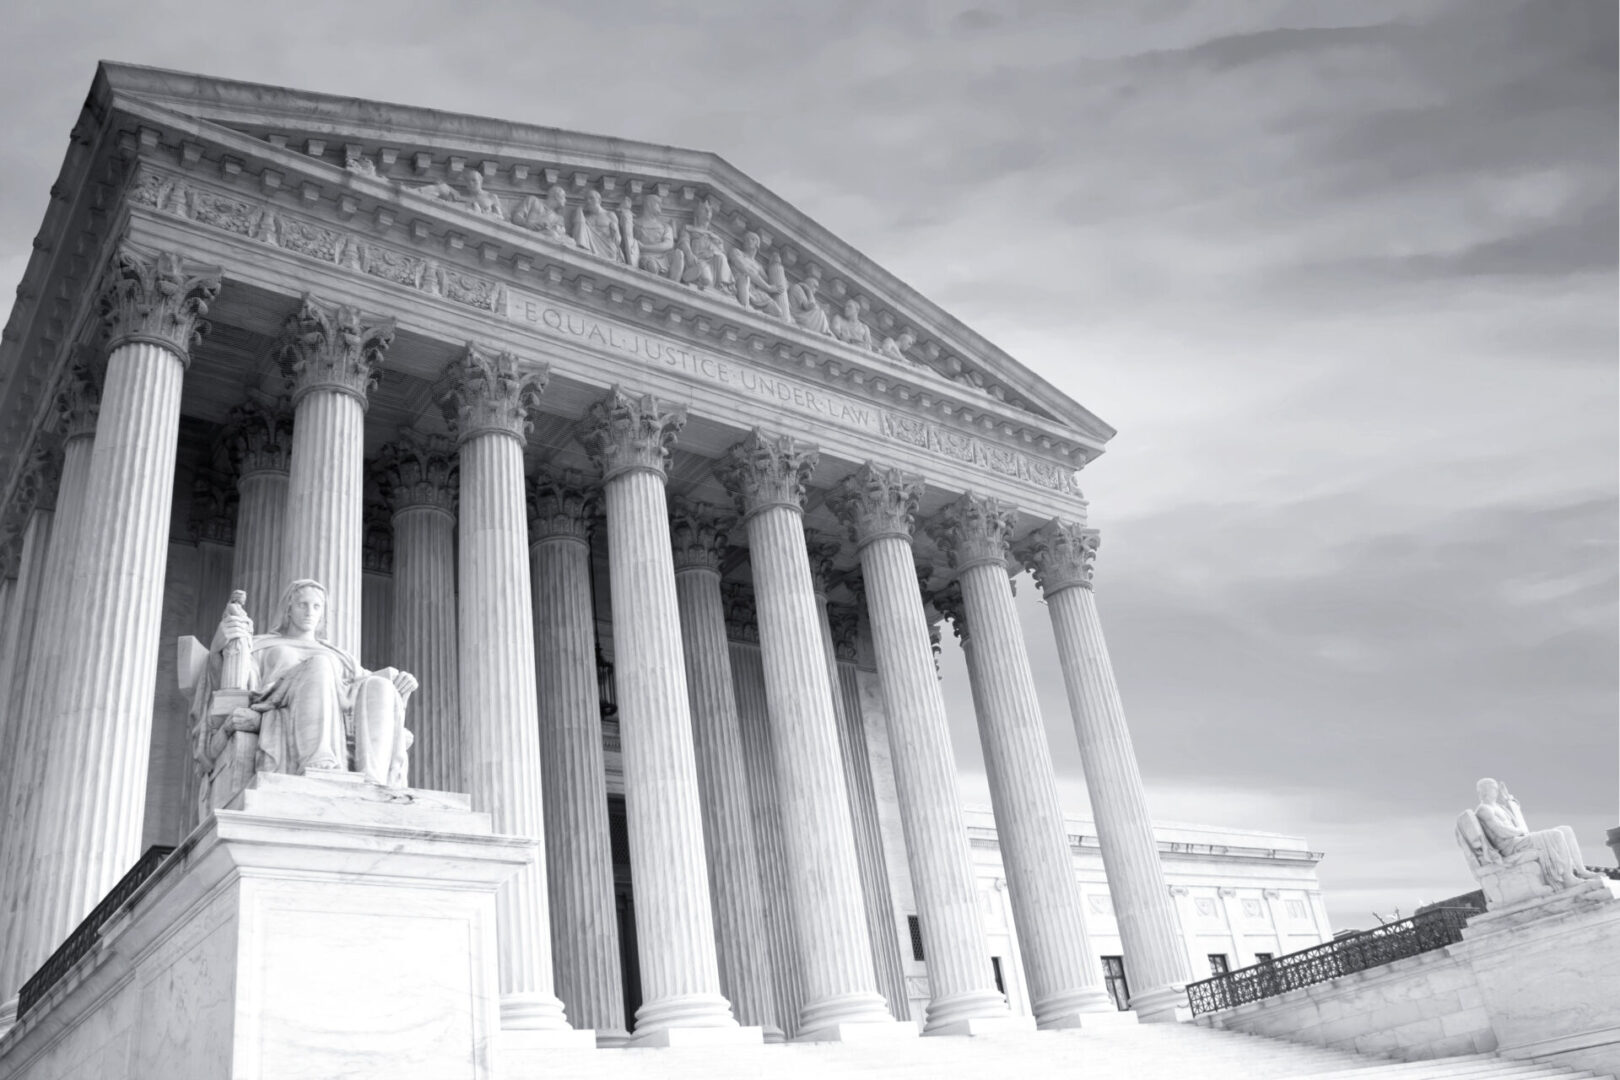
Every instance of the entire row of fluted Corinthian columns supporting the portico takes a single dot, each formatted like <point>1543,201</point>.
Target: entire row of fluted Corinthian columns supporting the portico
<point>688,750</point>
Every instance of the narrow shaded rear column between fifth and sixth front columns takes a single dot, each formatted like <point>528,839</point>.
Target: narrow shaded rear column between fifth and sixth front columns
<point>863,799</point>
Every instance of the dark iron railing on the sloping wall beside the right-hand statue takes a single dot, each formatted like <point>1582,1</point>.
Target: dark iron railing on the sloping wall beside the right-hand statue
<point>1319,964</point>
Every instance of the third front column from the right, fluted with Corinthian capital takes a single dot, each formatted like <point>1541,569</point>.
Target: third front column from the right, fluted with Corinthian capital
<point>879,506</point>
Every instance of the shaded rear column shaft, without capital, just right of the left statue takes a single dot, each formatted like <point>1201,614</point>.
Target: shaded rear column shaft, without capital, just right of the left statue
<point>424,642</point>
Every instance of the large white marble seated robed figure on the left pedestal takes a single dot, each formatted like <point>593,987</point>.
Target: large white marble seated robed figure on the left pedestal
<point>309,702</point>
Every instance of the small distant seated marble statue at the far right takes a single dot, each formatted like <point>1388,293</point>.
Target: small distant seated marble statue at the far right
<point>1511,861</point>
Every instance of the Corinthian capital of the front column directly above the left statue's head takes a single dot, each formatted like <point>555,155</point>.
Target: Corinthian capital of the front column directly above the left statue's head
<point>333,347</point>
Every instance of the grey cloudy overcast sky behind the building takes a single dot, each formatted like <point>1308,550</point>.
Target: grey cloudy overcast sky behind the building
<point>1342,276</point>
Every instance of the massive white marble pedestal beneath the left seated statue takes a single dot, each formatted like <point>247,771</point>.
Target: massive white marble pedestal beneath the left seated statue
<point>317,927</point>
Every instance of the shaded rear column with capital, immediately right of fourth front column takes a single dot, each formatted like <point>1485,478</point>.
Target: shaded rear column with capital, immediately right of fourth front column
<point>699,537</point>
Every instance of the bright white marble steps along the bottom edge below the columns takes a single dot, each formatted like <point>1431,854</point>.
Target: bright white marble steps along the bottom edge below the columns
<point>1151,1052</point>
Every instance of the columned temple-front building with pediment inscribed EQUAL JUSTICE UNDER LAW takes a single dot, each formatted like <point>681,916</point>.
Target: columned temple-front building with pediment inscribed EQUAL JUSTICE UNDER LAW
<point>618,454</point>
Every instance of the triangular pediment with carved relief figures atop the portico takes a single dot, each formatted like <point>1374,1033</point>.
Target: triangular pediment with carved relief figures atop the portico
<point>665,213</point>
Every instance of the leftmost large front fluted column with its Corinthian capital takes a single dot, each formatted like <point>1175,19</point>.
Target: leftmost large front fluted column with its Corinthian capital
<point>101,710</point>
